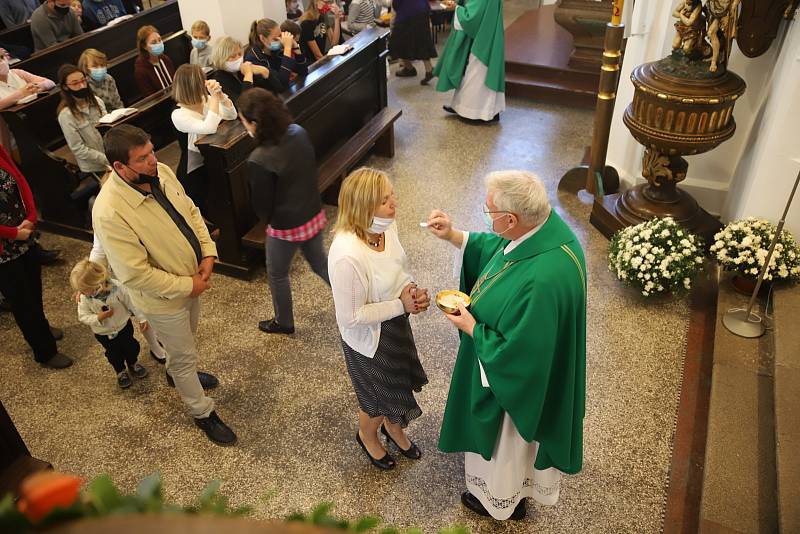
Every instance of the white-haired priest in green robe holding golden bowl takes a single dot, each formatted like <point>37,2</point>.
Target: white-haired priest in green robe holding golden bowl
<point>517,395</point>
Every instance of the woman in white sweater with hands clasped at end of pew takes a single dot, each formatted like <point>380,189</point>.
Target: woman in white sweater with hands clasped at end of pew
<point>201,107</point>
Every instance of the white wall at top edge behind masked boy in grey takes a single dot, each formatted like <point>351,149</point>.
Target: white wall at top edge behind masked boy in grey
<point>230,17</point>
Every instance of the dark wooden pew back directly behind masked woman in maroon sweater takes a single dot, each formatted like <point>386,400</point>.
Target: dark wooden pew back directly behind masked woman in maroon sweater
<point>113,41</point>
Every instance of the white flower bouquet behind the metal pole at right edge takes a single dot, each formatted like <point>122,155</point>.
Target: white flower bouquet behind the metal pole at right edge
<point>742,247</point>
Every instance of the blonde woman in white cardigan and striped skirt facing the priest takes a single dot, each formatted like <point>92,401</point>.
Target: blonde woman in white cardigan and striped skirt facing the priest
<point>374,292</point>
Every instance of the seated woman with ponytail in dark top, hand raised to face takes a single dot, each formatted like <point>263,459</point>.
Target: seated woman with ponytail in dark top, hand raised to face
<point>276,50</point>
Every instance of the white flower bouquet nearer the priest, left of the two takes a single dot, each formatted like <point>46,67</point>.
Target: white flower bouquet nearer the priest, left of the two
<point>656,256</point>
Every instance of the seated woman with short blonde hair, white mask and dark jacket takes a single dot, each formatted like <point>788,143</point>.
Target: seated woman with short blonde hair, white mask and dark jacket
<point>236,75</point>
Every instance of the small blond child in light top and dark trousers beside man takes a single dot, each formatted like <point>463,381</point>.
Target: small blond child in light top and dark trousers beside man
<point>105,306</point>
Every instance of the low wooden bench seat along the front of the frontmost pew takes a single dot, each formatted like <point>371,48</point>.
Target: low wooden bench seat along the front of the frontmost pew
<point>378,133</point>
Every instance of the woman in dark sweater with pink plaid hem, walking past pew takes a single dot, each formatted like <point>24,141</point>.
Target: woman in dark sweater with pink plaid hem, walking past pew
<point>282,173</point>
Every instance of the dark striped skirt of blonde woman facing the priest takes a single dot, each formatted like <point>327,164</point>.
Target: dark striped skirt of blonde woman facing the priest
<point>385,384</point>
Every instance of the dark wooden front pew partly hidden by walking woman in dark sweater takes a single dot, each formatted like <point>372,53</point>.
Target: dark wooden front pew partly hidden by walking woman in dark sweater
<point>342,103</point>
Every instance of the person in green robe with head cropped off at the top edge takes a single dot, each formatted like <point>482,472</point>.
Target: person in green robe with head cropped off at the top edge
<point>473,61</point>
